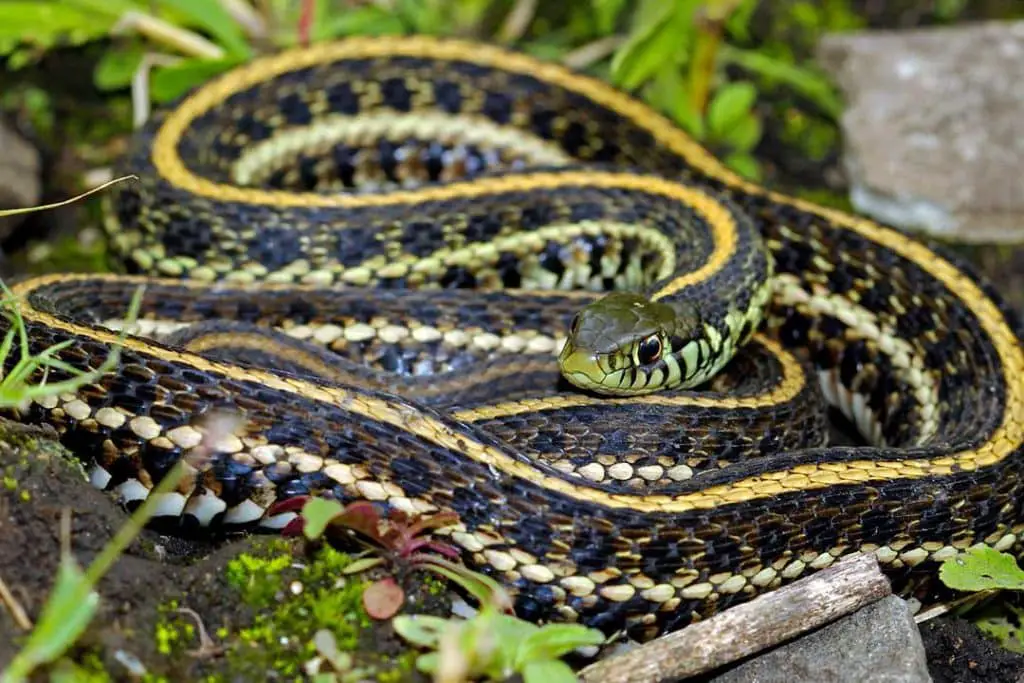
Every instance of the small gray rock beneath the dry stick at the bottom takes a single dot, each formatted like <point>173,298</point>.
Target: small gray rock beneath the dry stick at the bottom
<point>880,644</point>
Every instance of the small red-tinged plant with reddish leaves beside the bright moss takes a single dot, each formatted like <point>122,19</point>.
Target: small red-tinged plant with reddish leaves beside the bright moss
<point>400,540</point>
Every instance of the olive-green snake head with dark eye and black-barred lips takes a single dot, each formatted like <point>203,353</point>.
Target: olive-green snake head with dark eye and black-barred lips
<point>626,345</point>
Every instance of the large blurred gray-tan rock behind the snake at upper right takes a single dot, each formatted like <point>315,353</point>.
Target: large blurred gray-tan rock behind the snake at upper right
<point>932,131</point>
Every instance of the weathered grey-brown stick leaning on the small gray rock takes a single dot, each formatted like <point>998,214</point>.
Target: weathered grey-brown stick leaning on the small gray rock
<point>750,628</point>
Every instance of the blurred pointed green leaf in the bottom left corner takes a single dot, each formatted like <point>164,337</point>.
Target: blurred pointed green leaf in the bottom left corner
<point>68,612</point>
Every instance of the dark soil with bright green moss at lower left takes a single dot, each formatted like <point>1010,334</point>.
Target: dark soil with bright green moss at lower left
<point>258,613</point>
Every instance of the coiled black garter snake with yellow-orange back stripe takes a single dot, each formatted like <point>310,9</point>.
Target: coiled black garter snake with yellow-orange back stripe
<point>374,250</point>
